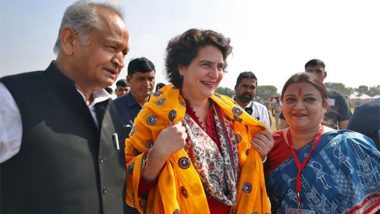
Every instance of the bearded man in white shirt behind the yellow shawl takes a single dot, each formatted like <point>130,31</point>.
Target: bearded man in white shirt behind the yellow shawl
<point>245,91</point>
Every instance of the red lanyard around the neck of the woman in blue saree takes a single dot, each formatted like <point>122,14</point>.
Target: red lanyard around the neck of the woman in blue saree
<point>301,166</point>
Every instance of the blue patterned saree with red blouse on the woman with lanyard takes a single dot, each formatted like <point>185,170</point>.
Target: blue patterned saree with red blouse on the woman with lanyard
<point>342,175</point>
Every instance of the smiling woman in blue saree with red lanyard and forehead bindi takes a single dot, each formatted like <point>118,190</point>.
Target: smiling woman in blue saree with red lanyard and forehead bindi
<point>315,169</point>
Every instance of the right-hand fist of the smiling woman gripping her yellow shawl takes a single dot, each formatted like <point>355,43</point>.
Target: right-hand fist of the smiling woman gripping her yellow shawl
<point>263,143</point>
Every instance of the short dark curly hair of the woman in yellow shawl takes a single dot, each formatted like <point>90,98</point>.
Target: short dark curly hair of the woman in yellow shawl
<point>182,49</point>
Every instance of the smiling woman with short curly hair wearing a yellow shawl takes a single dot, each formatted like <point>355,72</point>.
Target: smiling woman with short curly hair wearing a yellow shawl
<point>190,150</point>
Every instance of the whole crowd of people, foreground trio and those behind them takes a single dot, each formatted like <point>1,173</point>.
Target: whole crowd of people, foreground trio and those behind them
<point>67,147</point>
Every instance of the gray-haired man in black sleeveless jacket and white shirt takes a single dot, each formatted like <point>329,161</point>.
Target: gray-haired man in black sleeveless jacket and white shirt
<point>56,126</point>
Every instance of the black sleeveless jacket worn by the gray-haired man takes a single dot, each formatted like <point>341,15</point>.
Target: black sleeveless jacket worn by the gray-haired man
<point>66,164</point>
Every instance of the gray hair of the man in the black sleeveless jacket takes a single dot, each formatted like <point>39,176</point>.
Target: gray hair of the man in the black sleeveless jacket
<point>82,17</point>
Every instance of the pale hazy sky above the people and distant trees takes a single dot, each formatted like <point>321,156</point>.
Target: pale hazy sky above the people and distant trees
<point>272,38</point>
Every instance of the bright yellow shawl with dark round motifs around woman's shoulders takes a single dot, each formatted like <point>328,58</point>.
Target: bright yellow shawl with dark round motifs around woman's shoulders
<point>180,190</point>
